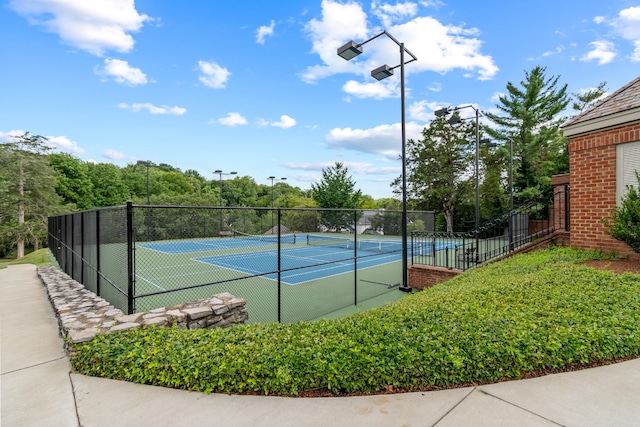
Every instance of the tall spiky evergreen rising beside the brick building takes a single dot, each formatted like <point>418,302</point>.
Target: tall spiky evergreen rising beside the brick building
<point>531,118</point>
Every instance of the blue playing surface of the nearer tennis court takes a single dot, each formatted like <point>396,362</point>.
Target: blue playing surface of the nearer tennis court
<point>305,263</point>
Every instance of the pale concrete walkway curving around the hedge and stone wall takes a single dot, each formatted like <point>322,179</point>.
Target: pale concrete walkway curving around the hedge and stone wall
<point>39,390</point>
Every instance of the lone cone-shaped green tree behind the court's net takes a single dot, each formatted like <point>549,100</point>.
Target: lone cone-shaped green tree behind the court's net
<point>336,190</point>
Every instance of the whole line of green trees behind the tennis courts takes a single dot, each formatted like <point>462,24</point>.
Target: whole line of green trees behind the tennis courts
<point>36,183</point>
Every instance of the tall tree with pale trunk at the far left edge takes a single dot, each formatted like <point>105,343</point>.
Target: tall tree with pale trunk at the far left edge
<point>28,182</point>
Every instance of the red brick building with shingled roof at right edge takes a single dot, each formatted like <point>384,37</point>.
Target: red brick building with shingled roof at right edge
<point>604,153</point>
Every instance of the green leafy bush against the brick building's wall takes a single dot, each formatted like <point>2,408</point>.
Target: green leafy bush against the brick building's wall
<point>626,219</point>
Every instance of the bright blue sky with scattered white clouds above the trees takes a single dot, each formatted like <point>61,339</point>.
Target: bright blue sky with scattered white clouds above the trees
<point>256,86</point>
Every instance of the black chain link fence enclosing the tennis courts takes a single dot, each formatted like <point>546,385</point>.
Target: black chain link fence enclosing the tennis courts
<point>289,264</point>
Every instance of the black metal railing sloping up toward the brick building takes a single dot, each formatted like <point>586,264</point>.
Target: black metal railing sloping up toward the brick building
<point>496,238</point>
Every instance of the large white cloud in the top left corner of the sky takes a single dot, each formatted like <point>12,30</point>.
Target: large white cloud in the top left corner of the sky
<point>94,26</point>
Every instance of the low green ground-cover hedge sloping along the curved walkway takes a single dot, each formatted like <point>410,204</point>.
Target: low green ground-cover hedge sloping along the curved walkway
<point>531,313</point>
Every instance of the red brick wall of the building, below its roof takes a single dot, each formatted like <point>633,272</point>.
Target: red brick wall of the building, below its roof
<point>592,162</point>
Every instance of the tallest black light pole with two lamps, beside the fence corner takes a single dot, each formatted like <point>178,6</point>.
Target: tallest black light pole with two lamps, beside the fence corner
<point>349,51</point>
